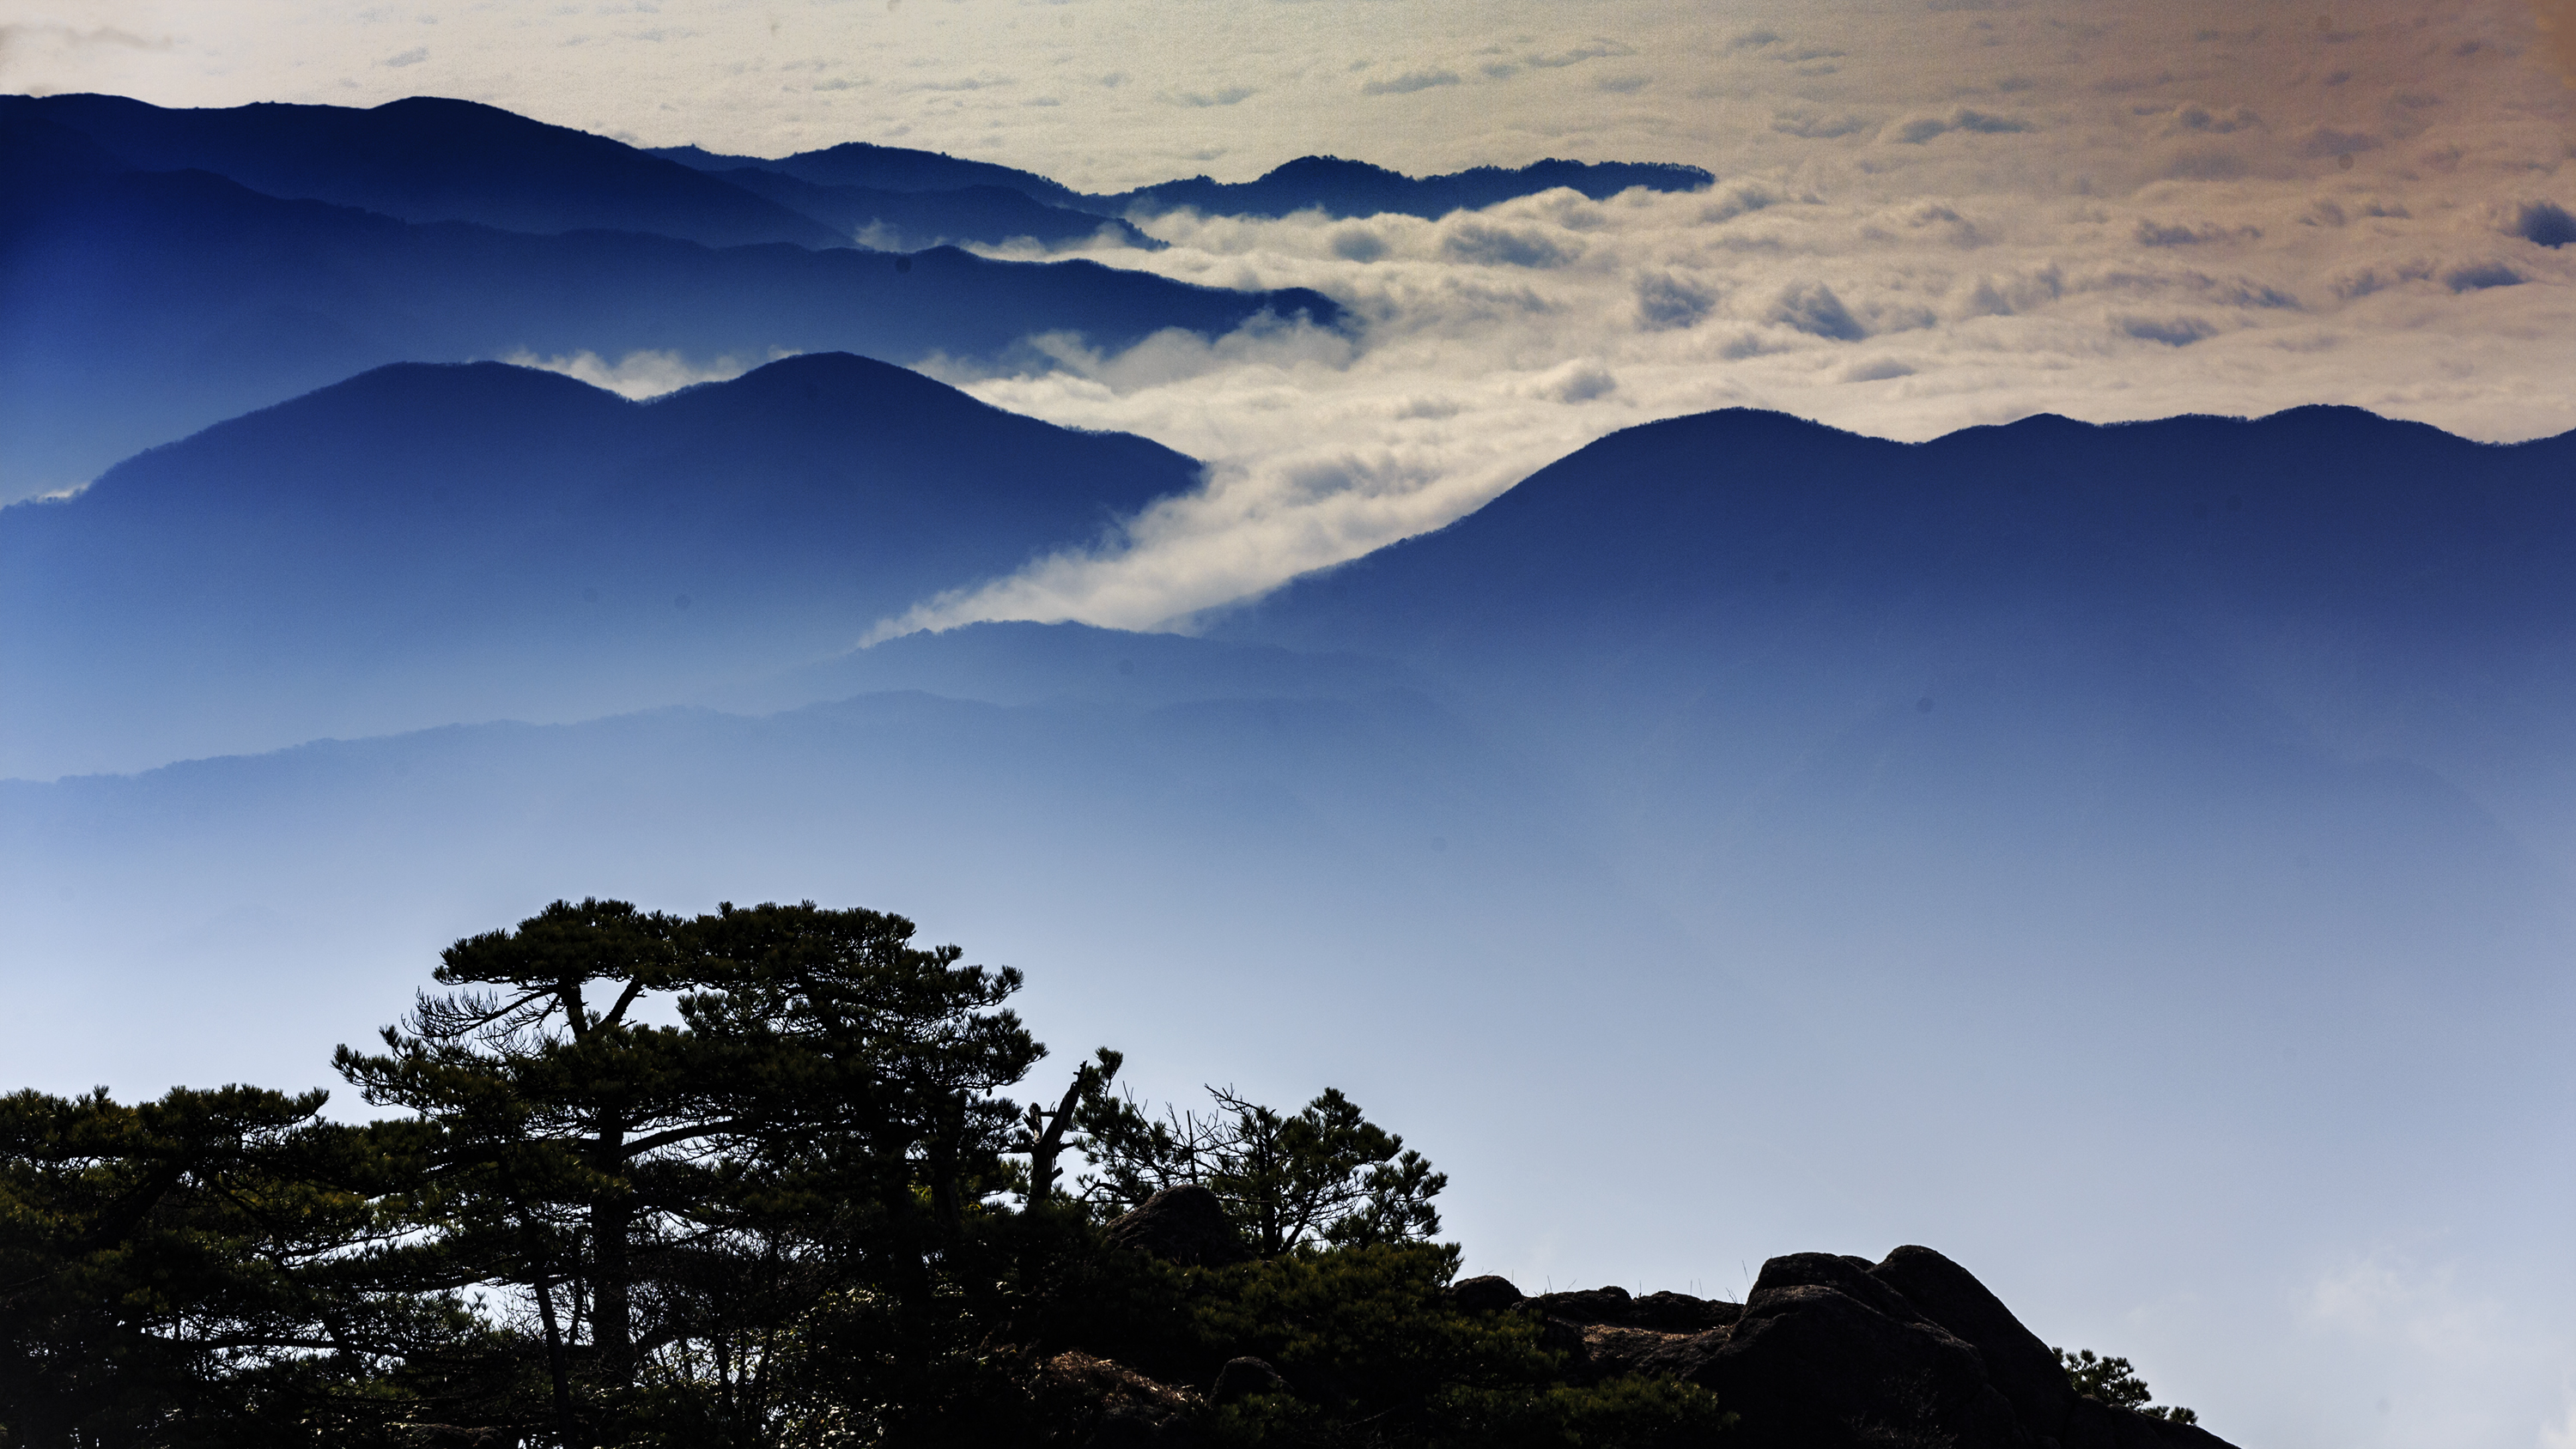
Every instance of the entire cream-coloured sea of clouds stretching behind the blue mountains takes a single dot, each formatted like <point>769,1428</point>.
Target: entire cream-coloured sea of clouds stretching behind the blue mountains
<point>1928,212</point>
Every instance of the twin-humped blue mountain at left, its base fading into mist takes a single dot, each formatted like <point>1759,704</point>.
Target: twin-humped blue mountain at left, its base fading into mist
<point>434,544</point>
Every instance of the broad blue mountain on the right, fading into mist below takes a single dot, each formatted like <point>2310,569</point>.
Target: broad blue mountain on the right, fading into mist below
<point>1738,619</point>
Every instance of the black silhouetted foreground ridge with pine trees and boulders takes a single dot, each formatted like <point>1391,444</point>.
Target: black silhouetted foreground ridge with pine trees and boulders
<point>800,1232</point>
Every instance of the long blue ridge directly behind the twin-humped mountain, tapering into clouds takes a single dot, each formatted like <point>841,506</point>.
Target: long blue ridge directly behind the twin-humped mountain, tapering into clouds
<point>143,308</point>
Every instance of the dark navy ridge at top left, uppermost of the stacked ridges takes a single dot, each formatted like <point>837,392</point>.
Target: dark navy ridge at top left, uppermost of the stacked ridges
<point>434,161</point>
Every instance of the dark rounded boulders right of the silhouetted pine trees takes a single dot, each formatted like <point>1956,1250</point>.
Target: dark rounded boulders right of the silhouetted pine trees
<point>1833,1352</point>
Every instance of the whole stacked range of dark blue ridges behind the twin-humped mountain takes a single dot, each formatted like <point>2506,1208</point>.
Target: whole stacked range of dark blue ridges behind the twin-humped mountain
<point>169,269</point>
